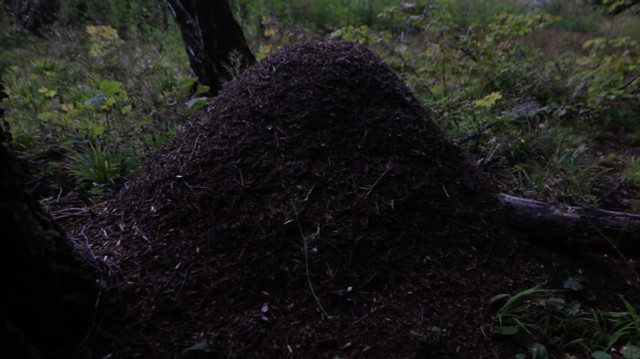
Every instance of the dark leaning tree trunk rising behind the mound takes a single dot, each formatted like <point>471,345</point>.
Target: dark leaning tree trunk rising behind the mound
<point>215,43</point>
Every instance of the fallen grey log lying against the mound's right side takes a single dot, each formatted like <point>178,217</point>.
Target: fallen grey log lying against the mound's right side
<point>571,227</point>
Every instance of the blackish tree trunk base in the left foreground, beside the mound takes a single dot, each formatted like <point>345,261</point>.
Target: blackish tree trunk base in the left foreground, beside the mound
<point>48,296</point>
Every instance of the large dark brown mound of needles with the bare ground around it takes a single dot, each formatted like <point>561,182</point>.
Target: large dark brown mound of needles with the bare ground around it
<point>314,209</point>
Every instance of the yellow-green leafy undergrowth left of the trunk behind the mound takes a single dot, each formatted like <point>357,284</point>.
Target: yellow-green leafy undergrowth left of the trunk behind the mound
<point>88,84</point>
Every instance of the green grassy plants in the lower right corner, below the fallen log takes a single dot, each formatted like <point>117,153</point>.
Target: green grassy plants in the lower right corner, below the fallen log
<point>545,315</point>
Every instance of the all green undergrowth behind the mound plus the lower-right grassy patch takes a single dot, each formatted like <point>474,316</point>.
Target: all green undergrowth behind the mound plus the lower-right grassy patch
<point>545,98</point>
